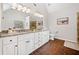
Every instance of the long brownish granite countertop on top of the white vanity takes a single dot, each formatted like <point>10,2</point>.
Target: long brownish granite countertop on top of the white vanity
<point>18,33</point>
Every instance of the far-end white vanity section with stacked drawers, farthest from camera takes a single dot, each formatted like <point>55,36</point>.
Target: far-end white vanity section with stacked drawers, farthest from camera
<point>40,38</point>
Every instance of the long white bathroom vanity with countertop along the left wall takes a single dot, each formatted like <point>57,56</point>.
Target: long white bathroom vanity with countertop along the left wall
<point>22,43</point>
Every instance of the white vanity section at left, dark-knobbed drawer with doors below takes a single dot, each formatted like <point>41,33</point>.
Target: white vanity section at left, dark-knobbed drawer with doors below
<point>10,45</point>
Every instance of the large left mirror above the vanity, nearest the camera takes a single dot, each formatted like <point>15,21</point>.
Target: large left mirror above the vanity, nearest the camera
<point>14,18</point>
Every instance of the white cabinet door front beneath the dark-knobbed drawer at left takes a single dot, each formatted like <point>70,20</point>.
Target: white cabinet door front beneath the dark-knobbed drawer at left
<point>10,49</point>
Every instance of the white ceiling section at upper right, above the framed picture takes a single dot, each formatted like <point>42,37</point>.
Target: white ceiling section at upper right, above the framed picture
<point>61,6</point>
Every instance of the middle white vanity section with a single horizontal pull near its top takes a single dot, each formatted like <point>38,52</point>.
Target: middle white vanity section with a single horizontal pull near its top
<point>25,44</point>
